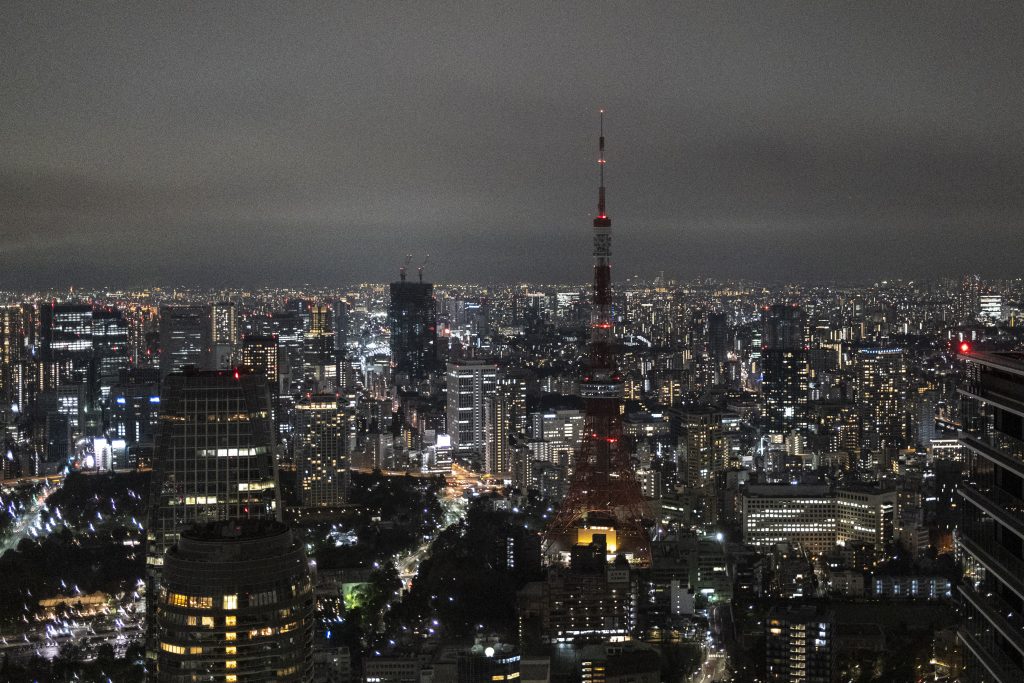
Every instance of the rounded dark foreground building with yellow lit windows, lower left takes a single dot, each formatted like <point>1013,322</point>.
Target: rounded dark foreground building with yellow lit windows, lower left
<point>236,605</point>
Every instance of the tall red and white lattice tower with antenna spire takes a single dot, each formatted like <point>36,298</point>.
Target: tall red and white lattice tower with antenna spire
<point>604,491</point>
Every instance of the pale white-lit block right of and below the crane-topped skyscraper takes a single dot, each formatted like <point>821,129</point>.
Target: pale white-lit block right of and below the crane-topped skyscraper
<point>471,386</point>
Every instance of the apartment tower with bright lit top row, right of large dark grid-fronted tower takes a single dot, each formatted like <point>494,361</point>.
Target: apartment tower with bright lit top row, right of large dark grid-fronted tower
<point>325,438</point>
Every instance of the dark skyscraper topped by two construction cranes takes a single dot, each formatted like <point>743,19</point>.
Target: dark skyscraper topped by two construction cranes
<point>413,319</point>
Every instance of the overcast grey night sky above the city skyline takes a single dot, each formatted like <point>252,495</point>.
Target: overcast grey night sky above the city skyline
<point>245,144</point>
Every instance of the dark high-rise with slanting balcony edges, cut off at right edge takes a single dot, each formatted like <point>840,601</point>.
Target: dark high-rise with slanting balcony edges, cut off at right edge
<point>992,533</point>
